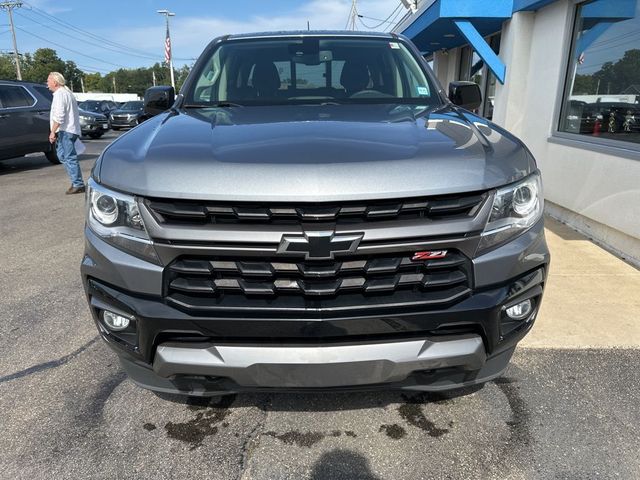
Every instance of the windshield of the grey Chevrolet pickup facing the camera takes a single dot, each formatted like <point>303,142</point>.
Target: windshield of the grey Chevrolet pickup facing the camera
<point>311,70</point>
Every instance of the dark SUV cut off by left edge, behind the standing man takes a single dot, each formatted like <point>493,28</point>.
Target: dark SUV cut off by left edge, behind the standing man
<point>24,120</point>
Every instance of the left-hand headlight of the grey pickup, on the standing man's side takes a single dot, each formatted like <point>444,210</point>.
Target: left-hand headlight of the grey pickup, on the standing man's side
<point>115,218</point>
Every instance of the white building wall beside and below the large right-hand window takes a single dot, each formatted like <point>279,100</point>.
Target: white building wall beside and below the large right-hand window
<point>602,188</point>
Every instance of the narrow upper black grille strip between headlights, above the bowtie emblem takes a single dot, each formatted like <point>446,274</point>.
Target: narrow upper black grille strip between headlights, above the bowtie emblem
<point>184,212</point>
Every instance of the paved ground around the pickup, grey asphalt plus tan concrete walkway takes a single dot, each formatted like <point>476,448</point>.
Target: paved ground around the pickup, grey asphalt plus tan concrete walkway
<point>567,408</point>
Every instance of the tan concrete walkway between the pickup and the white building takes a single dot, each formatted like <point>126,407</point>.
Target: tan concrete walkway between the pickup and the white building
<point>592,298</point>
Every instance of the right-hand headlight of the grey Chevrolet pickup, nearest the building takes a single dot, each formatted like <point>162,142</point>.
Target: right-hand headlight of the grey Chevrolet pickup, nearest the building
<point>516,208</point>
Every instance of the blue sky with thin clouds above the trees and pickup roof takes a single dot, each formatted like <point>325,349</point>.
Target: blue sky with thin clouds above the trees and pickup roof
<point>104,36</point>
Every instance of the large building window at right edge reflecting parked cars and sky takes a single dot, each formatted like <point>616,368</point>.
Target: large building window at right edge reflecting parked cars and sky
<point>602,95</point>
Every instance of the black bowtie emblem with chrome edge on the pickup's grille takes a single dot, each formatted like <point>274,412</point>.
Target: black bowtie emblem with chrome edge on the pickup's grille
<point>319,245</point>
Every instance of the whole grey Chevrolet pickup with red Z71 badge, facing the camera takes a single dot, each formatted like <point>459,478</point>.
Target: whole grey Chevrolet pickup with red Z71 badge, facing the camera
<point>313,212</point>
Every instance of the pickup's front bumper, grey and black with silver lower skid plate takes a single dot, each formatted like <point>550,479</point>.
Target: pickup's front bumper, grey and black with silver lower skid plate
<point>469,342</point>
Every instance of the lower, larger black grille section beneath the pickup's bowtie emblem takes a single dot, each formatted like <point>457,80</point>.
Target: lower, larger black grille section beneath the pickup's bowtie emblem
<point>196,282</point>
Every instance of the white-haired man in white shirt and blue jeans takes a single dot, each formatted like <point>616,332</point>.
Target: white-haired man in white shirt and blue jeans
<point>65,123</point>
